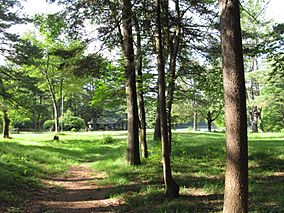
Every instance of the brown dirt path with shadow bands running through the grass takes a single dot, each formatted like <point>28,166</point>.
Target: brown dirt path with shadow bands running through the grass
<point>75,192</point>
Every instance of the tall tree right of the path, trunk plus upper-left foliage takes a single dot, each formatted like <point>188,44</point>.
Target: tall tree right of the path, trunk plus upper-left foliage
<point>115,29</point>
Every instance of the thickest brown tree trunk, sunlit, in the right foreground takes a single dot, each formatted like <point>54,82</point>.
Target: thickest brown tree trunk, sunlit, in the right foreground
<point>236,177</point>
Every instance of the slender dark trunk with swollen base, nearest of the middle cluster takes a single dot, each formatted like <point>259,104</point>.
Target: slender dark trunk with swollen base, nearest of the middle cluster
<point>172,189</point>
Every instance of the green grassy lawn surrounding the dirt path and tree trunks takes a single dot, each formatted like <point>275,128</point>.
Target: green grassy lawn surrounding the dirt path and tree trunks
<point>198,163</point>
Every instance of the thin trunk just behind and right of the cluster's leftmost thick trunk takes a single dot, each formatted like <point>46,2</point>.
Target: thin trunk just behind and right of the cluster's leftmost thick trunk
<point>140,92</point>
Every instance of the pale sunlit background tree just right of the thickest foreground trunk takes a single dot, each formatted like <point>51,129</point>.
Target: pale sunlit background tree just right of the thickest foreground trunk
<point>255,33</point>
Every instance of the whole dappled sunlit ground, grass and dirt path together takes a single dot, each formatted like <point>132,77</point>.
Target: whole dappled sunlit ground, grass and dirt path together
<point>54,174</point>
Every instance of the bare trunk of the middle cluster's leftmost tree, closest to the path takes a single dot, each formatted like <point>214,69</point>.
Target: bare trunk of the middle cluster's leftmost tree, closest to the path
<point>132,152</point>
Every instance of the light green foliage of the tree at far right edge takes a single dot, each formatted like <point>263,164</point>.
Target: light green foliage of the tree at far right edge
<point>272,82</point>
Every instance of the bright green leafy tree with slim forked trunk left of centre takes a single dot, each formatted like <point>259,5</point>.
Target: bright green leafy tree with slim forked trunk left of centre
<point>46,58</point>
